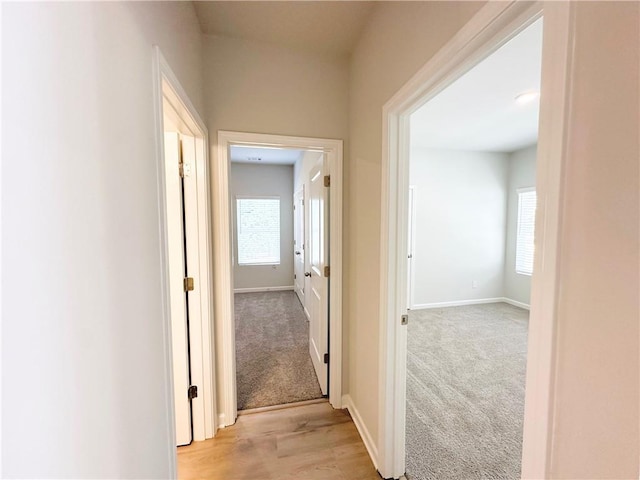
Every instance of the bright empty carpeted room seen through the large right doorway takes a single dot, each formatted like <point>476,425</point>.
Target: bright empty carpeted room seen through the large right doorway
<point>472,198</point>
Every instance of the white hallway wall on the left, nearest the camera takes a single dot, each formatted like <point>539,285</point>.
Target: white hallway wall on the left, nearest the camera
<point>83,360</point>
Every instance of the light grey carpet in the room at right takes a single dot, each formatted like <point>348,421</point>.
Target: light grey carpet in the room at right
<point>465,392</point>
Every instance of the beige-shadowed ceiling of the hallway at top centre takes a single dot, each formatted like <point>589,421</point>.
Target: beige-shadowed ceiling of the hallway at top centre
<point>327,27</point>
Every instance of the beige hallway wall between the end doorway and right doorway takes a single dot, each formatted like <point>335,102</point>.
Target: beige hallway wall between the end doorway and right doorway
<point>399,39</point>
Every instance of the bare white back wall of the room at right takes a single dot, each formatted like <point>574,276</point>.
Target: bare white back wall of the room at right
<point>460,201</point>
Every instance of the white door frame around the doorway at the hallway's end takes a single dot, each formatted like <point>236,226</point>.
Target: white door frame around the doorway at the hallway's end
<point>223,259</point>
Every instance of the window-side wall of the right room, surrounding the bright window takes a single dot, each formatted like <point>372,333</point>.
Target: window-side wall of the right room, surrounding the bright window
<point>522,173</point>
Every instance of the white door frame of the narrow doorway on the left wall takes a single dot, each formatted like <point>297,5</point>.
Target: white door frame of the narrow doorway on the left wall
<point>202,353</point>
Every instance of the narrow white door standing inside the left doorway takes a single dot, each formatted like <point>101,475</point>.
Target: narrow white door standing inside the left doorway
<point>177,296</point>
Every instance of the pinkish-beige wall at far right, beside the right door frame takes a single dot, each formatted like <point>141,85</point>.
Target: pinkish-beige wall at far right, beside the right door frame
<point>596,389</point>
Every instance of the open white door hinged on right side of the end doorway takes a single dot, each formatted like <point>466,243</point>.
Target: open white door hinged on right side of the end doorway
<point>317,295</point>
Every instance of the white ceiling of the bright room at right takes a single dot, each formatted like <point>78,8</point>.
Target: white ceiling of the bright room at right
<point>478,112</point>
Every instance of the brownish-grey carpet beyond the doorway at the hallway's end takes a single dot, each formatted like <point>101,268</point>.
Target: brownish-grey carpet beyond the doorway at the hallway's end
<point>273,365</point>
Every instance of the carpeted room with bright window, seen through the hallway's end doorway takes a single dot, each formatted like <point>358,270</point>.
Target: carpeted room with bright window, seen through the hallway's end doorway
<point>272,320</point>
